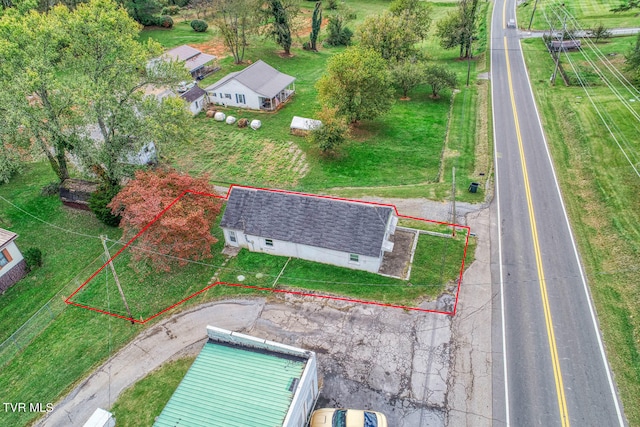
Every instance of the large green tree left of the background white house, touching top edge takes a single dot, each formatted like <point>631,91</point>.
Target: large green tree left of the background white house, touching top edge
<point>110,73</point>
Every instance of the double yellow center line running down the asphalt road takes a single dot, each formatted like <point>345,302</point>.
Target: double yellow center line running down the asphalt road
<point>557,374</point>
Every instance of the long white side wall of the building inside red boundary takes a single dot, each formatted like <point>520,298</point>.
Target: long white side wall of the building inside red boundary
<point>310,253</point>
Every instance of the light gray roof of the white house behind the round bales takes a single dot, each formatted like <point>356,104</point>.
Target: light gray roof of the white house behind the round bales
<point>260,77</point>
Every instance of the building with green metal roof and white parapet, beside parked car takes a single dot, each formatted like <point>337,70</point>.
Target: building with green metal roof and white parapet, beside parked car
<point>242,381</point>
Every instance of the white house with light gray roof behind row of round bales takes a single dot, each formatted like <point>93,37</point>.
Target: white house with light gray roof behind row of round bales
<point>257,87</point>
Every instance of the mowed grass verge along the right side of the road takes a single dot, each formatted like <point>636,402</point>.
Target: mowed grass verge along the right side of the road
<point>602,195</point>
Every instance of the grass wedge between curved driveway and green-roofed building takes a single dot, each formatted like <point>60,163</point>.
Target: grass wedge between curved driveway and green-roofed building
<point>140,404</point>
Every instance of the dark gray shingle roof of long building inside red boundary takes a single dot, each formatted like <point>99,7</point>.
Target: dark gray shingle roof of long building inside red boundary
<point>351,227</point>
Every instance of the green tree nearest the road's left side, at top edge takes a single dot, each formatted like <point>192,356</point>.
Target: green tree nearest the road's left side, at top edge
<point>459,27</point>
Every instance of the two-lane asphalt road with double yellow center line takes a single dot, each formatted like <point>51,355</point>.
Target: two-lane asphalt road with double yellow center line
<point>556,372</point>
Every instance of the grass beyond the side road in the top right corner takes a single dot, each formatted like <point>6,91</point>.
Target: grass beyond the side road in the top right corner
<point>588,13</point>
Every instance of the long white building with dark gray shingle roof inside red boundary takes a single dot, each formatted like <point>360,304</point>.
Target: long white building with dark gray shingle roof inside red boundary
<point>344,233</point>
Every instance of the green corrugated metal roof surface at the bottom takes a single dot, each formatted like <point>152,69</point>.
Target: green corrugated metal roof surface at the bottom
<point>232,386</point>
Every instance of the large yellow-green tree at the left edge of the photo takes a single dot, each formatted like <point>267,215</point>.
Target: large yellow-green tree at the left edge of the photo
<point>35,94</point>
